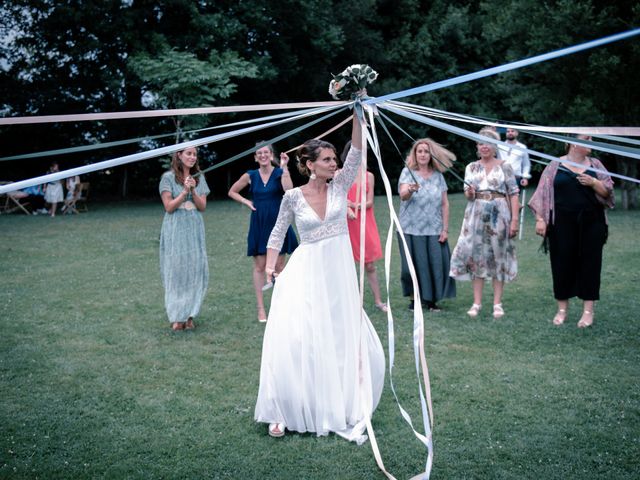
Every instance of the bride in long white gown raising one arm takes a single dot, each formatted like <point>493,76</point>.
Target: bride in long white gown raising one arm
<point>322,362</point>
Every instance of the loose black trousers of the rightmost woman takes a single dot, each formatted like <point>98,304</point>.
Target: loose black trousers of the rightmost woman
<point>575,250</point>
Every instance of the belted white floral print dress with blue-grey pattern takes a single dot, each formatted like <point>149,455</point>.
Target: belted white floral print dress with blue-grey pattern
<point>484,249</point>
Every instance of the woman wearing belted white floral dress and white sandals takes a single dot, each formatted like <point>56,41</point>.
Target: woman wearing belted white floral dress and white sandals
<point>485,248</point>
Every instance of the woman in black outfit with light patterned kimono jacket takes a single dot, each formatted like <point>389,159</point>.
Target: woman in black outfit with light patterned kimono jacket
<point>569,204</point>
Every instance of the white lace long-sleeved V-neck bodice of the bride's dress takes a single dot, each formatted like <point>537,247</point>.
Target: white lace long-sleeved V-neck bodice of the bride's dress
<point>311,228</point>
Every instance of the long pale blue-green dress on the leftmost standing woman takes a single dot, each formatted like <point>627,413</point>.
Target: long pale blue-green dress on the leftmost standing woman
<point>183,254</point>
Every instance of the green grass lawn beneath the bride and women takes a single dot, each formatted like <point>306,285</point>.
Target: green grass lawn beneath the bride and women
<point>93,384</point>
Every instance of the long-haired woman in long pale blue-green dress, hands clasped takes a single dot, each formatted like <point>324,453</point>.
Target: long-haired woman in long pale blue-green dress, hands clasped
<point>183,254</point>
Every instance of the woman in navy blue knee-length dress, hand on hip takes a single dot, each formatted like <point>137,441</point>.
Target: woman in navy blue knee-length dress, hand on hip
<point>267,185</point>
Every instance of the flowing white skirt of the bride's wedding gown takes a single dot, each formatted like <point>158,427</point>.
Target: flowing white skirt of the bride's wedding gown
<point>322,362</point>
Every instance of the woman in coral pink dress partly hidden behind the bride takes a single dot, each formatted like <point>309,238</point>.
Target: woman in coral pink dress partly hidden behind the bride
<point>372,247</point>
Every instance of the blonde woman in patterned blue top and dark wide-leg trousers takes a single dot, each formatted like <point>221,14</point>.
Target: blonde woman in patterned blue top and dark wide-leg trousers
<point>424,218</point>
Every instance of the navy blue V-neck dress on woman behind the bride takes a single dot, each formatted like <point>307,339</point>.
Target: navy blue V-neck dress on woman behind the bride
<point>266,200</point>
